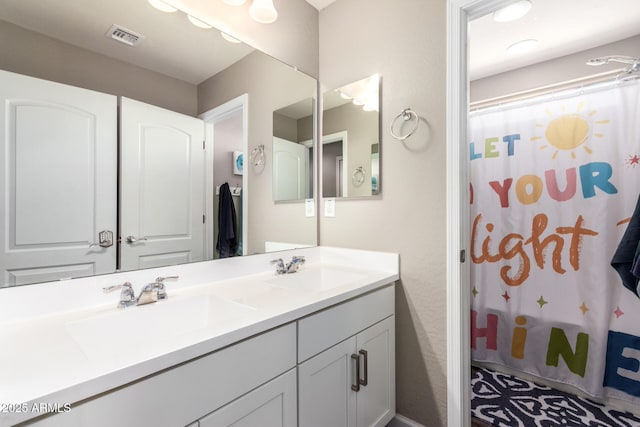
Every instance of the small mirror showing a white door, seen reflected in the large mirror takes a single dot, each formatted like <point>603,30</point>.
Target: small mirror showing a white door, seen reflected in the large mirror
<point>293,151</point>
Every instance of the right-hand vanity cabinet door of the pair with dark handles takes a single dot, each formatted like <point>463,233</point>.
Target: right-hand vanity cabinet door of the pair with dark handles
<point>376,401</point>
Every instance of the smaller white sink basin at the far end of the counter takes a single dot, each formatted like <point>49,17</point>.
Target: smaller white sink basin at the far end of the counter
<point>315,279</point>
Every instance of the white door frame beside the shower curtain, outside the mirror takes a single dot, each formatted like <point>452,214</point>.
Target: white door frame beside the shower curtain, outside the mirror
<point>459,13</point>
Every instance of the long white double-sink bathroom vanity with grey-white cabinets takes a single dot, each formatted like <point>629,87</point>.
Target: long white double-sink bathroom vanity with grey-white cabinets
<point>234,343</point>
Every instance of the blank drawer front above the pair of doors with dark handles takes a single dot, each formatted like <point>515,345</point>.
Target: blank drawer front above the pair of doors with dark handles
<point>328,327</point>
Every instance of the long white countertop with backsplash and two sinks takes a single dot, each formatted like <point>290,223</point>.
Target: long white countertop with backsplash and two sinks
<point>66,341</point>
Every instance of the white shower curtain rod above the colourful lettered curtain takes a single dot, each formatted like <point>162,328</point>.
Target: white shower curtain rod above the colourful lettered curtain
<point>523,96</point>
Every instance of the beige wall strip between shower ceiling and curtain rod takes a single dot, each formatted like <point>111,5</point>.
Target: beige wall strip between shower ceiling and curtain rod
<point>554,71</point>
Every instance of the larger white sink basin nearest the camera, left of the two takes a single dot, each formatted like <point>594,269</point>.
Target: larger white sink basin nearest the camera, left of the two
<point>151,326</point>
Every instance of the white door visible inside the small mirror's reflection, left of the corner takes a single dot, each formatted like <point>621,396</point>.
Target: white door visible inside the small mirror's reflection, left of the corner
<point>290,166</point>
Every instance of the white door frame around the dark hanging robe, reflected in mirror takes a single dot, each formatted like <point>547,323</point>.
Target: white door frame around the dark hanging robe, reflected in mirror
<point>211,117</point>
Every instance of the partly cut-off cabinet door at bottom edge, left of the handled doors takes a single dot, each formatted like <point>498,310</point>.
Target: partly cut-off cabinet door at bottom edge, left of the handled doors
<point>271,405</point>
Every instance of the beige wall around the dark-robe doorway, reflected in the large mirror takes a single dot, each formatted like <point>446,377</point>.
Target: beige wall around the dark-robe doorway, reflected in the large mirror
<point>271,85</point>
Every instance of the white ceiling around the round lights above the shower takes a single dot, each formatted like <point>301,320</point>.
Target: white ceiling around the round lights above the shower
<point>561,26</point>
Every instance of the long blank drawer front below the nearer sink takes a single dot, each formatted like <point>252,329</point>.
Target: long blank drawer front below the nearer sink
<point>180,395</point>
